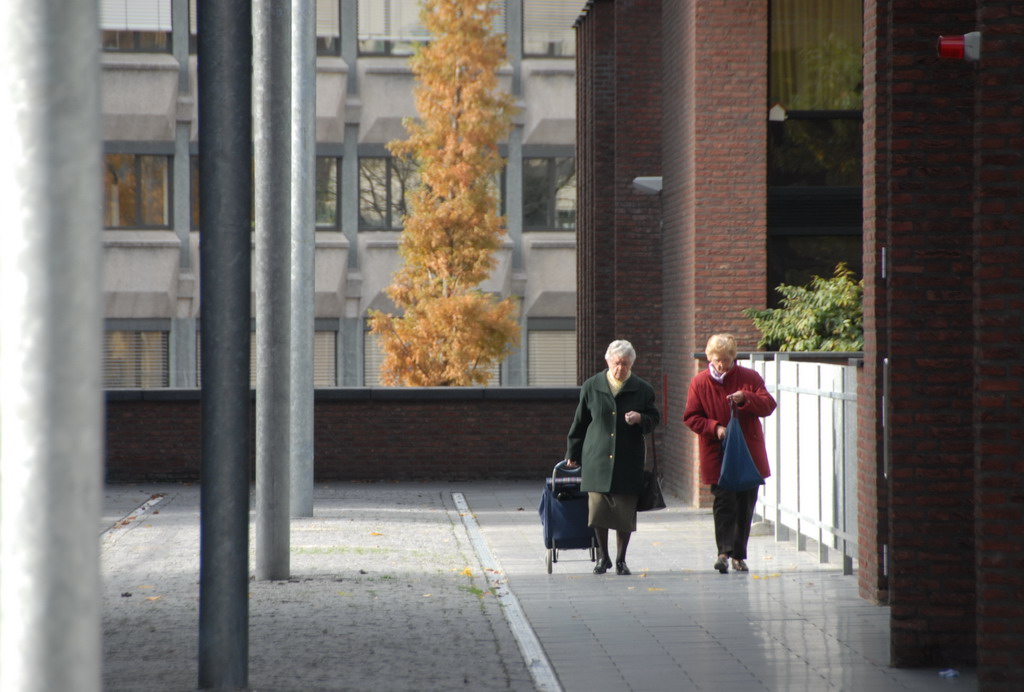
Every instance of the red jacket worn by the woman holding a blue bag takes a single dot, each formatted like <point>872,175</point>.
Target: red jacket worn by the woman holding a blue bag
<point>708,408</point>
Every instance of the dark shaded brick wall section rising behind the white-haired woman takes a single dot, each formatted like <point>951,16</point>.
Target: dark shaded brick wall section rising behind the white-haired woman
<point>619,139</point>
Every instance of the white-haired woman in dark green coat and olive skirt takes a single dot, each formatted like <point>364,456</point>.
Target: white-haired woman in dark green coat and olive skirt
<point>616,411</point>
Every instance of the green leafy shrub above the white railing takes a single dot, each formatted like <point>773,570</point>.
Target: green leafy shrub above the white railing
<point>826,316</point>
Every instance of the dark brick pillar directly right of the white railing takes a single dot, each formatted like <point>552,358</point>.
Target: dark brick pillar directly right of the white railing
<point>921,162</point>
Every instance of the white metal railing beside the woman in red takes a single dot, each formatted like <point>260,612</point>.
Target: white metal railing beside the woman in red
<point>813,448</point>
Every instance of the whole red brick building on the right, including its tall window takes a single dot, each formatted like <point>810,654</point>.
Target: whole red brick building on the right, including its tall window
<point>758,185</point>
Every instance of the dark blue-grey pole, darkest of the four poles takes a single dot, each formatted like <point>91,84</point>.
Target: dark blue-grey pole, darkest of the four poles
<point>226,209</point>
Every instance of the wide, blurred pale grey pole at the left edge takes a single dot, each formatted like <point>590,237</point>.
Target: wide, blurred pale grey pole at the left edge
<point>51,348</point>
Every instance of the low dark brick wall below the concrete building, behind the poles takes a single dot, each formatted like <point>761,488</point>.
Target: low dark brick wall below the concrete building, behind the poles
<point>362,435</point>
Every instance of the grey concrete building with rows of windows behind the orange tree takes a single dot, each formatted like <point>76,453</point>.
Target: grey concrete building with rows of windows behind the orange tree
<point>364,92</point>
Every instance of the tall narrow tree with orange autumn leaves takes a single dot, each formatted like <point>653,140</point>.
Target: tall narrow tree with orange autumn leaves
<point>450,333</point>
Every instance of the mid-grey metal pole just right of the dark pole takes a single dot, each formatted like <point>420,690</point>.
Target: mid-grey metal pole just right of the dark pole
<point>272,122</point>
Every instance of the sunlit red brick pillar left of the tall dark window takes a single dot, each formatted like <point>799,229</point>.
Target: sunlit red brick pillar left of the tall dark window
<point>716,93</point>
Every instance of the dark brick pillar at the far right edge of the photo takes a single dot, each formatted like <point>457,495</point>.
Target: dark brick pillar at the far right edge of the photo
<point>999,345</point>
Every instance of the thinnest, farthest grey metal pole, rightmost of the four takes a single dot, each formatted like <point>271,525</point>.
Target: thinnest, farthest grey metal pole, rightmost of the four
<point>304,252</point>
